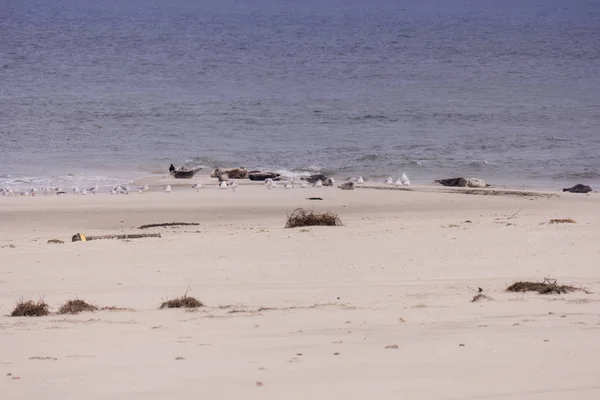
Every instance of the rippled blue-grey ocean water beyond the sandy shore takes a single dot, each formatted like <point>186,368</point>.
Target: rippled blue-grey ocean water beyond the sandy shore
<point>108,91</point>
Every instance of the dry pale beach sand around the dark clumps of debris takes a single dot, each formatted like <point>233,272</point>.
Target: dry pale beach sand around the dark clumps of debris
<point>302,313</point>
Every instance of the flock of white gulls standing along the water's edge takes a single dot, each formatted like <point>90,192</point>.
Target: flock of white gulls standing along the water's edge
<point>126,189</point>
